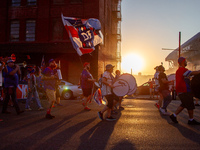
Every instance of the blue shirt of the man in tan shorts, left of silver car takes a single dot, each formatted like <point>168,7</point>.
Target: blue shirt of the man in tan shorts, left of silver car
<point>49,83</point>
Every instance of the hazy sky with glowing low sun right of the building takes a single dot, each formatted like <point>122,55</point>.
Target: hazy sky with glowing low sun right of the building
<point>150,25</point>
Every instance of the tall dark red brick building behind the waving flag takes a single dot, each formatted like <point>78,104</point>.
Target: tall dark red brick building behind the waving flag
<point>35,28</point>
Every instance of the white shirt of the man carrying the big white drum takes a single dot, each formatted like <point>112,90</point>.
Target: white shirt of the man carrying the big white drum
<point>106,90</point>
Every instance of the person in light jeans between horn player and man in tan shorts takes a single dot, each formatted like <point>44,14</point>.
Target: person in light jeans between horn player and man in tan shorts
<point>32,90</point>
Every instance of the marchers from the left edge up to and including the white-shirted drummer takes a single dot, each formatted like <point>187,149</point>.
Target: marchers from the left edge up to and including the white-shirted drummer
<point>9,73</point>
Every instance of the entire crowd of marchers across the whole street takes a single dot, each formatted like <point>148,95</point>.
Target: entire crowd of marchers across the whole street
<point>160,84</point>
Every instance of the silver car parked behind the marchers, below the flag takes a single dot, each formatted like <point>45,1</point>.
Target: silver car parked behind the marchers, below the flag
<point>68,90</point>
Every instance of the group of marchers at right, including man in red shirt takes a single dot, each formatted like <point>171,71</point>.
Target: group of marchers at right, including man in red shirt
<point>183,90</point>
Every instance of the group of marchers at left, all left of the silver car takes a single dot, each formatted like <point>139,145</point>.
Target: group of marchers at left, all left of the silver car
<point>9,80</point>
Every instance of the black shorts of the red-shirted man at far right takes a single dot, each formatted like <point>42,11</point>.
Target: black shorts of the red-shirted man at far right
<point>187,100</point>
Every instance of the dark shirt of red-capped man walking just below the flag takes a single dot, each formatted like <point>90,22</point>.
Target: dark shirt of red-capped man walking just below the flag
<point>85,84</point>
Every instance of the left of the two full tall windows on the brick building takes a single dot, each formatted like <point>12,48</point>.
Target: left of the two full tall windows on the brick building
<point>14,31</point>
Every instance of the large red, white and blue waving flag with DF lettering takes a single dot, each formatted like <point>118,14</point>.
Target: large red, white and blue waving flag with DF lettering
<point>84,34</point>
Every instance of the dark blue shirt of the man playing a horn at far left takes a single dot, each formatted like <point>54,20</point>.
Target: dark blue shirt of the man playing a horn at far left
<point>10,80</point>
